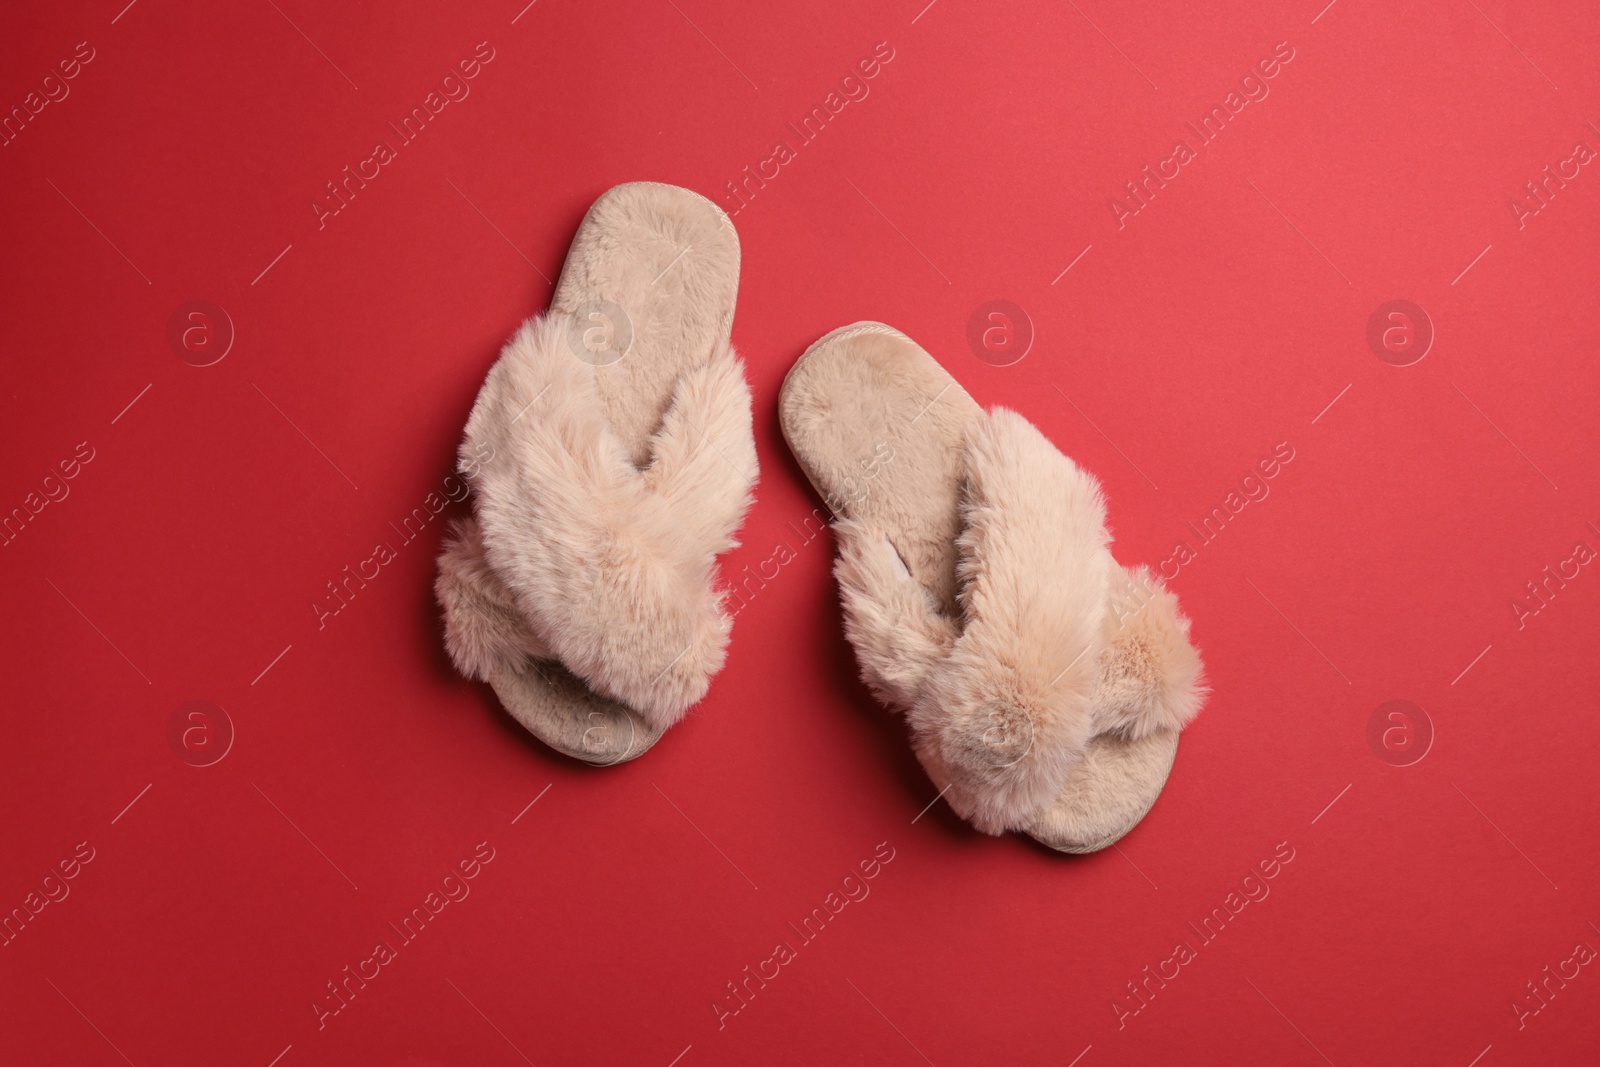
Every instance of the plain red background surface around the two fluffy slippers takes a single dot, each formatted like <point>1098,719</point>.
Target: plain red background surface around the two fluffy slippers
<point>1218,322</point>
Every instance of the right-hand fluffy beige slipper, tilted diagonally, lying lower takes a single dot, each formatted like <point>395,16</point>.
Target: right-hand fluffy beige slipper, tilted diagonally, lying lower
<point>1044,684</point>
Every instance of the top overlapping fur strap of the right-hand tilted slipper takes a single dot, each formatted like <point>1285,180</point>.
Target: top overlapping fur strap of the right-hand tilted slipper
<point>1034,569</point>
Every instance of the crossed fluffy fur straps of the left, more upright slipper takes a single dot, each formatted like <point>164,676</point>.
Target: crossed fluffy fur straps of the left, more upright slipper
<point>610,567</point>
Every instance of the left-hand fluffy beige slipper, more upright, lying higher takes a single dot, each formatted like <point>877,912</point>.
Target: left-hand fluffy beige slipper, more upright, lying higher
<point>612,458</point>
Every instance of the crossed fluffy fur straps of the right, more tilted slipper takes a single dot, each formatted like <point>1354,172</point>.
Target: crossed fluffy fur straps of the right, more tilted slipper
<point>1004,700</point>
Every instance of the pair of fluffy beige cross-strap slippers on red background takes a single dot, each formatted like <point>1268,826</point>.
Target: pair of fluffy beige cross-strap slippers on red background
<point>612,460</point>
